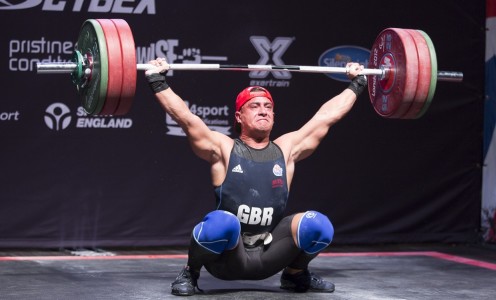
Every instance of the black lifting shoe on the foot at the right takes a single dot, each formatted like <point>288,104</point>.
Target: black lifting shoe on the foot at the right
<point>304,281</point>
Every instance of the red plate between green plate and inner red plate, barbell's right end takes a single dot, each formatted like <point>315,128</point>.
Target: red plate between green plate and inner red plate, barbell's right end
<point>424,76</point>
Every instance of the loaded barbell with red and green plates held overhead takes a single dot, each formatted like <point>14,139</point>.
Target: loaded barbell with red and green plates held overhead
<point>402,70</point>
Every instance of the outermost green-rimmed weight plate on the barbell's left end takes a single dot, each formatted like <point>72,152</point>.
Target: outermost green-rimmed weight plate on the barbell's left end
<point>91,43</point>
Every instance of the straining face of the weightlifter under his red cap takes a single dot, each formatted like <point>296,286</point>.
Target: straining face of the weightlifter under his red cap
<point>256,115</point>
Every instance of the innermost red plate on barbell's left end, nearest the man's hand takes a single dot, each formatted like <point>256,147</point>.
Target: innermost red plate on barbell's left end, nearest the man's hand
<point>128,66</point>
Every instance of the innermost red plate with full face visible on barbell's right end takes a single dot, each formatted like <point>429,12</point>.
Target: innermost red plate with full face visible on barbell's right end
<point>395,50</point>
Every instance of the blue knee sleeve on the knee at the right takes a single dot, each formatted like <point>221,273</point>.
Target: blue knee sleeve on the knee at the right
<point>315,232</point>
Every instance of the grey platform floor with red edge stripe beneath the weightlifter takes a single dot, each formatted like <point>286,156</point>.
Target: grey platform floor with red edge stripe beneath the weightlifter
<point>386,272</point>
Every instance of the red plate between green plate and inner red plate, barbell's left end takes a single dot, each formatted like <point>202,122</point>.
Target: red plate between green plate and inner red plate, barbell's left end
<point>114,54</point>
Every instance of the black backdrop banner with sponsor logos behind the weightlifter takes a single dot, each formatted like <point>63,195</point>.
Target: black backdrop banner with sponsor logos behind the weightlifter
<point>71,180</point>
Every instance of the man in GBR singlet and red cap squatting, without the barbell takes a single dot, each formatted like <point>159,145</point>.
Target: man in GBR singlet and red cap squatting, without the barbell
<point>248,236</point>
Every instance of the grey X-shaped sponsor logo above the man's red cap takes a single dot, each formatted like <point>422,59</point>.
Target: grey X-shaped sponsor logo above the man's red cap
<point>270,53</point>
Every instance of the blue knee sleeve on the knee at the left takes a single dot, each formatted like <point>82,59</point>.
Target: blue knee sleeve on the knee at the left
<point>219,231</point>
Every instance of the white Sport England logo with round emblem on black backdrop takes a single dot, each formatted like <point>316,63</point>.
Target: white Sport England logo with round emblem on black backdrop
<point>58,117</point>
